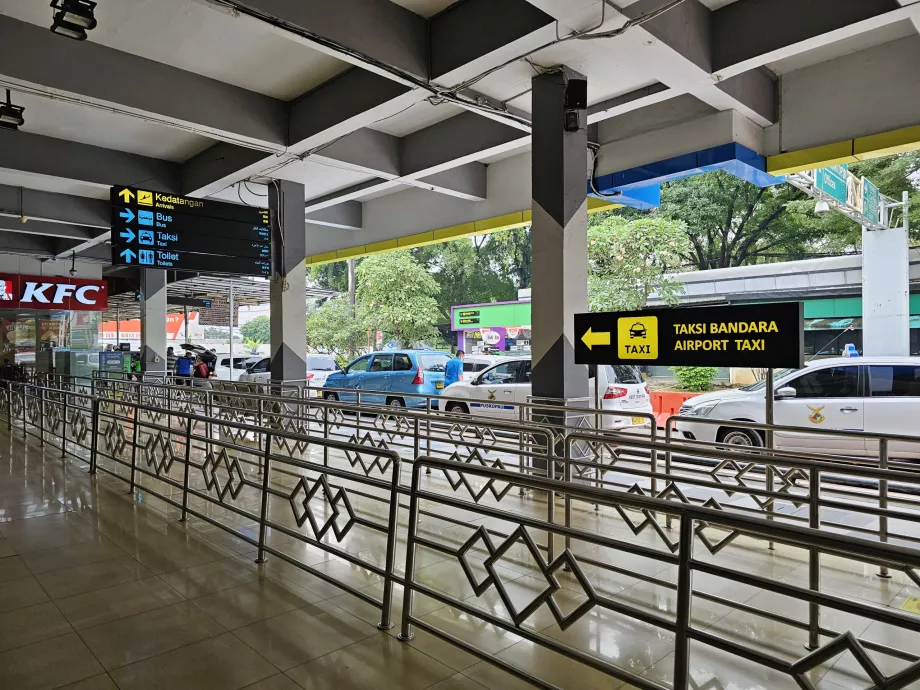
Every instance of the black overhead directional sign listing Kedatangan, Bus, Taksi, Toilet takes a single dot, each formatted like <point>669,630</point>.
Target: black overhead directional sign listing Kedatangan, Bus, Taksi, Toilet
<point>153,229</point>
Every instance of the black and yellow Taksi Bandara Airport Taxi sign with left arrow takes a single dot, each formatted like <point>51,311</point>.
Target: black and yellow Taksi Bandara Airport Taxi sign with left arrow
<point>762,336</point>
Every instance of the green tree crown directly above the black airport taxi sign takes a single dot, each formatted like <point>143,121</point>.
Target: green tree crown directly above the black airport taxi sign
<point>630,259</point>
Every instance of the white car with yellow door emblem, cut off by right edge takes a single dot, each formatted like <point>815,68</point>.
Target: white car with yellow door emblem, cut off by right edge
<point>874,394</point>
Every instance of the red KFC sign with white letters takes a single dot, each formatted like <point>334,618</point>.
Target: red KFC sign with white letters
<point>37,292</point>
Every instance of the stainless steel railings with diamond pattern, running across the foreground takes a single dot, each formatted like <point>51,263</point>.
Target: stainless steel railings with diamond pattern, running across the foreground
<point>594,526</point>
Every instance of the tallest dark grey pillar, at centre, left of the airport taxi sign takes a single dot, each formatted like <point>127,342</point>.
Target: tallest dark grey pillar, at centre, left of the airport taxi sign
<point>559,239</point>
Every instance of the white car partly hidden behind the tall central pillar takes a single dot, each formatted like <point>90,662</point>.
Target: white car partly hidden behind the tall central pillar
<point>500,389</point>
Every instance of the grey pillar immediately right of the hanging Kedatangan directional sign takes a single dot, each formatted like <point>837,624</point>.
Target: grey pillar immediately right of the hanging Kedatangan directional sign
<point>288,286</point>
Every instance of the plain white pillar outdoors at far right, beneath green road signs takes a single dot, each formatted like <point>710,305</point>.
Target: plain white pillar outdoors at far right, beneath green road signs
<point>886,291</point>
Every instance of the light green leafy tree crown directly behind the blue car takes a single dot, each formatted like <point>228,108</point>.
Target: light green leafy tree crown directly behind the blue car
<point>397,295</point>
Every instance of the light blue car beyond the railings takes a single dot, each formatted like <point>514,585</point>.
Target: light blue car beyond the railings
<point>391,378</point>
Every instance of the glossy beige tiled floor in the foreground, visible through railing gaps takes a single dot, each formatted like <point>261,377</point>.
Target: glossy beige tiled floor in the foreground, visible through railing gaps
<point>101,590</point>
